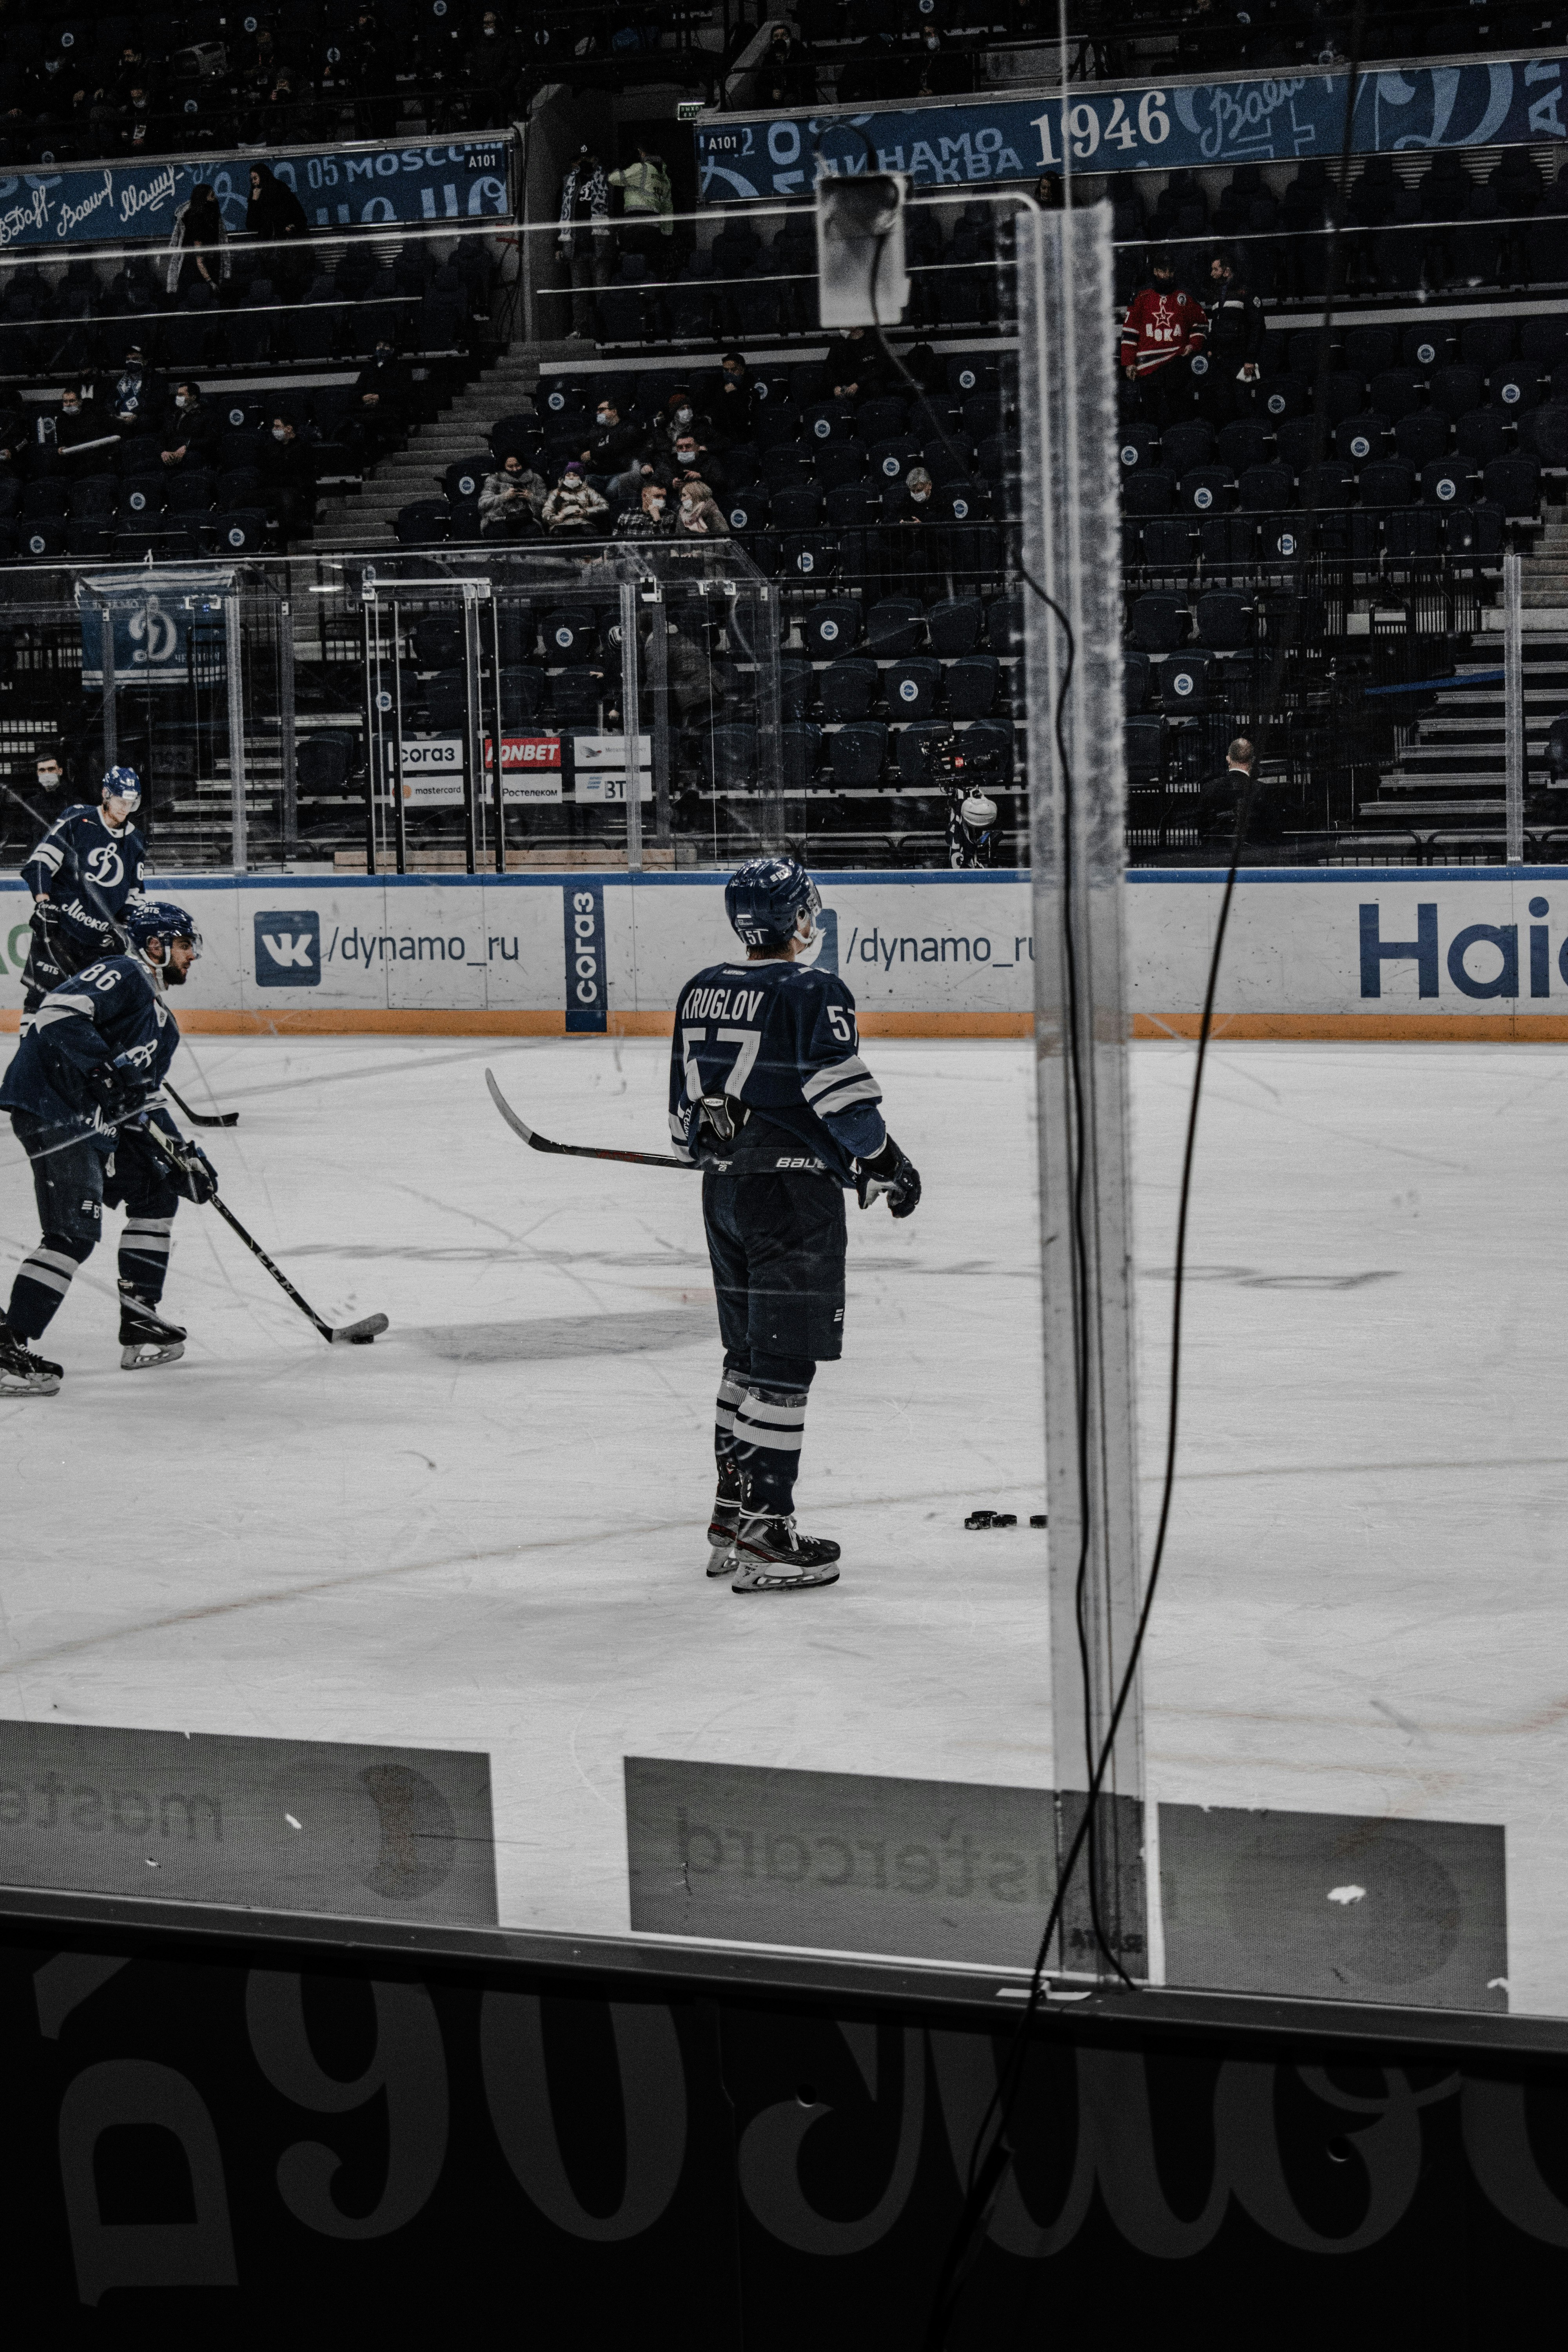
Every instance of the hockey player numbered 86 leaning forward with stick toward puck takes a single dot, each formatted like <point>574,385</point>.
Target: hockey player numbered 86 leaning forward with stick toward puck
<point>86,1102</point>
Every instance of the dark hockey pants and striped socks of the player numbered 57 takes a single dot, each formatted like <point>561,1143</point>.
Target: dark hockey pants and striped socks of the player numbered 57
<point>777,1250</point>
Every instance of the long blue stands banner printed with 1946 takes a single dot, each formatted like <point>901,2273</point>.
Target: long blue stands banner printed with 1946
<point>1275,119</point>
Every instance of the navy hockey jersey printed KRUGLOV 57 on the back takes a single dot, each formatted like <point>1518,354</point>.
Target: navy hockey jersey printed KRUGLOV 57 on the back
<point>779,1038</point>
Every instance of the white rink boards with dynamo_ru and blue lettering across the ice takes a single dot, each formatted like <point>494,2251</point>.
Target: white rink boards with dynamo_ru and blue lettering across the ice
<point>1311,954</point>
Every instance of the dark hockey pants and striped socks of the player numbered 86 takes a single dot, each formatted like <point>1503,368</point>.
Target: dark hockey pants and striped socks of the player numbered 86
<point>74,1182</point>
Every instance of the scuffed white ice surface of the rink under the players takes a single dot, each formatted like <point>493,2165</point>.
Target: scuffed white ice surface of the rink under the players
<point>488,1530</point>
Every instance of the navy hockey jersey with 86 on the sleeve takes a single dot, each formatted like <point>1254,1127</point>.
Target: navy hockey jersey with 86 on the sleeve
<point>112,1008</point>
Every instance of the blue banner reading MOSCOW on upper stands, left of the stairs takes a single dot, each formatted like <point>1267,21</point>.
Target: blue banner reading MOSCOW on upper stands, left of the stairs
<point>340,187</point>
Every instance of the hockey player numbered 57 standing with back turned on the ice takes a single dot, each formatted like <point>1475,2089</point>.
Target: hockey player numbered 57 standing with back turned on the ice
<point>772,1100</point>
